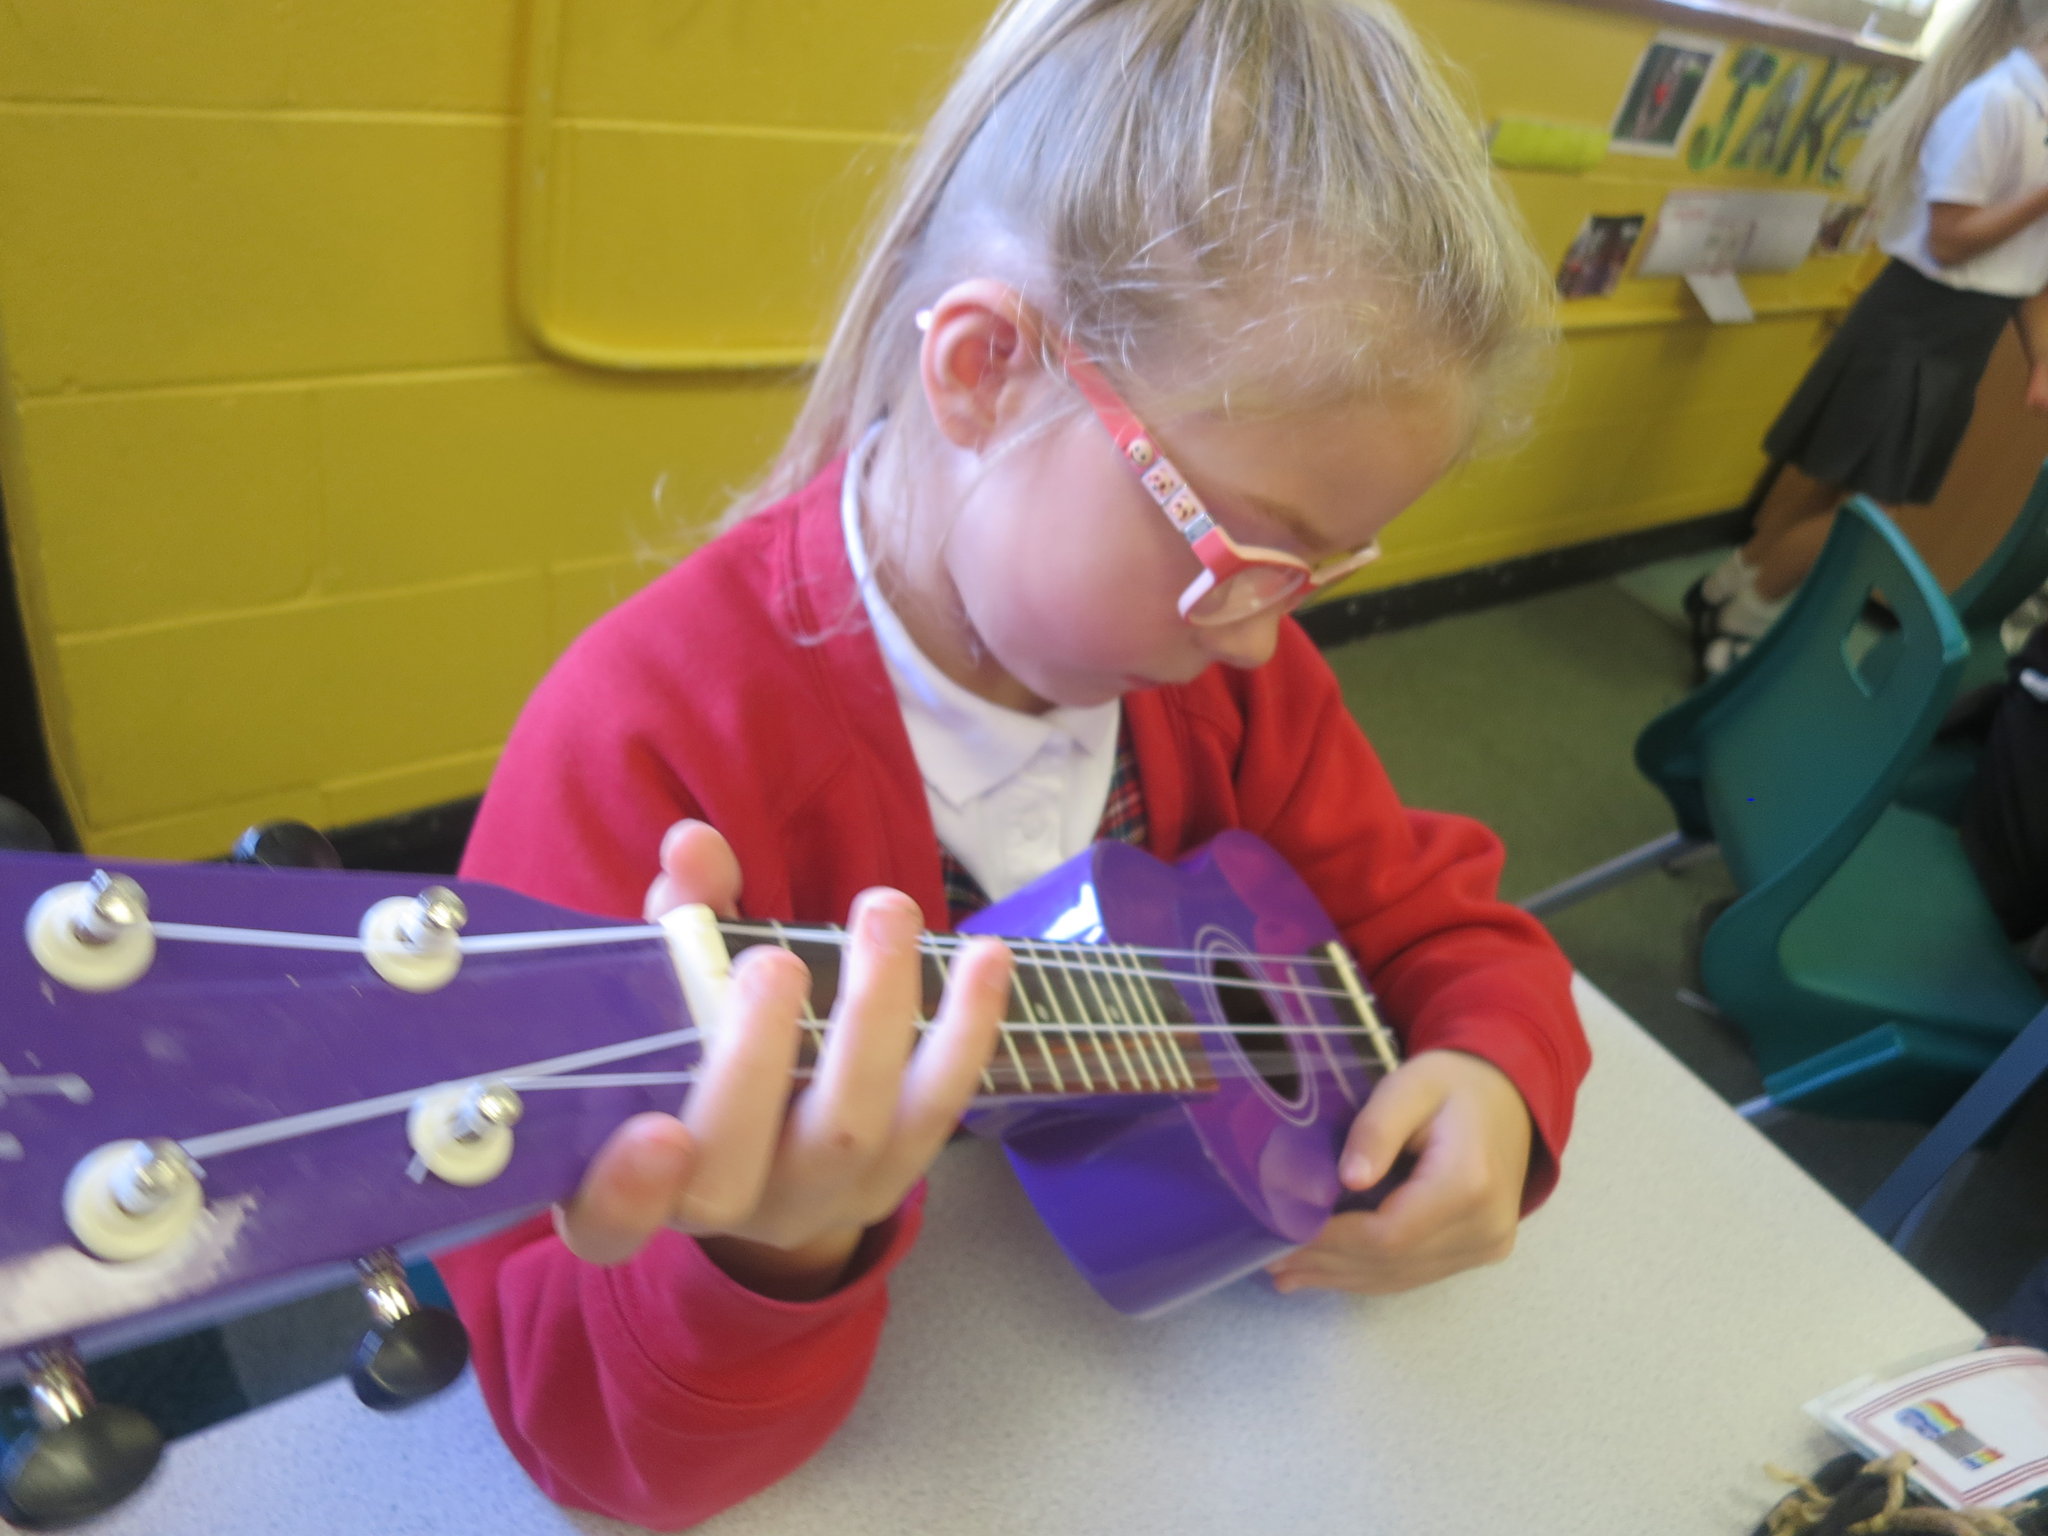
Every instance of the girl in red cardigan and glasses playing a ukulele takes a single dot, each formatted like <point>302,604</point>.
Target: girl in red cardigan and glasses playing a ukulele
<point>1179,306</point>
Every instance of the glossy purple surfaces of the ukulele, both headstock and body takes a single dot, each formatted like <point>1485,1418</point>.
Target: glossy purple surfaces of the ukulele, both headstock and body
<point>1156,1199</point>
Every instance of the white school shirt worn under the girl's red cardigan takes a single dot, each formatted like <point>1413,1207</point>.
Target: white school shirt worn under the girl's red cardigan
<point>1013,796</point>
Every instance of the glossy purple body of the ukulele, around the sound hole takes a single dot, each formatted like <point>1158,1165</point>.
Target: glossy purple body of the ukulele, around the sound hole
<point>1168,1199</point>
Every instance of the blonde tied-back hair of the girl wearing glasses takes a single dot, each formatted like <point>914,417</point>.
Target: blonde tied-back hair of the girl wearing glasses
<point>1177,185</point>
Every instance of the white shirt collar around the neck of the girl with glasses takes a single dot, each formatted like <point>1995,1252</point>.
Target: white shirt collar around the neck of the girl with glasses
<point>966,744</point>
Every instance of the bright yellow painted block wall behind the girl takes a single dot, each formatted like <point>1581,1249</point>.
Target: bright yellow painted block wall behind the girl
<point>355,357</point>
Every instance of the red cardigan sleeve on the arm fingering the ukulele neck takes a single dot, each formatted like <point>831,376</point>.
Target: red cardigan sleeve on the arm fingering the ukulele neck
<point>654,1392</point>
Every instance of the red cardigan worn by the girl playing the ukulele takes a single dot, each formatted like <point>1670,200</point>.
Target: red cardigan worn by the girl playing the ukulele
<point>746,689</point>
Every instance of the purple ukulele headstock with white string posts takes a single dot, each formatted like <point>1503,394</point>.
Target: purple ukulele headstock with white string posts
<point>216,1039</point>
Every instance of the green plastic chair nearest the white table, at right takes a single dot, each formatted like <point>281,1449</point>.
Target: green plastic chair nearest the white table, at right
<point>1861,957</point>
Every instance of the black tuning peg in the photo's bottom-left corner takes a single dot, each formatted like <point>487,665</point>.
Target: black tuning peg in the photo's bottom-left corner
<point>83,1457</point>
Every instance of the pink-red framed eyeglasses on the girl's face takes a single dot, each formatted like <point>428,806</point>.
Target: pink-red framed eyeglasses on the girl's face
<point>1238,581</point>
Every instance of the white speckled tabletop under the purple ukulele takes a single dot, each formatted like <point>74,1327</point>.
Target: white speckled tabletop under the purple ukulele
<point>1627,1373</point>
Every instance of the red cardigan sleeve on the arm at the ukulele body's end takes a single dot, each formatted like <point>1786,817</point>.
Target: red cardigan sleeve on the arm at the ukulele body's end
<point>1414,894</point>
